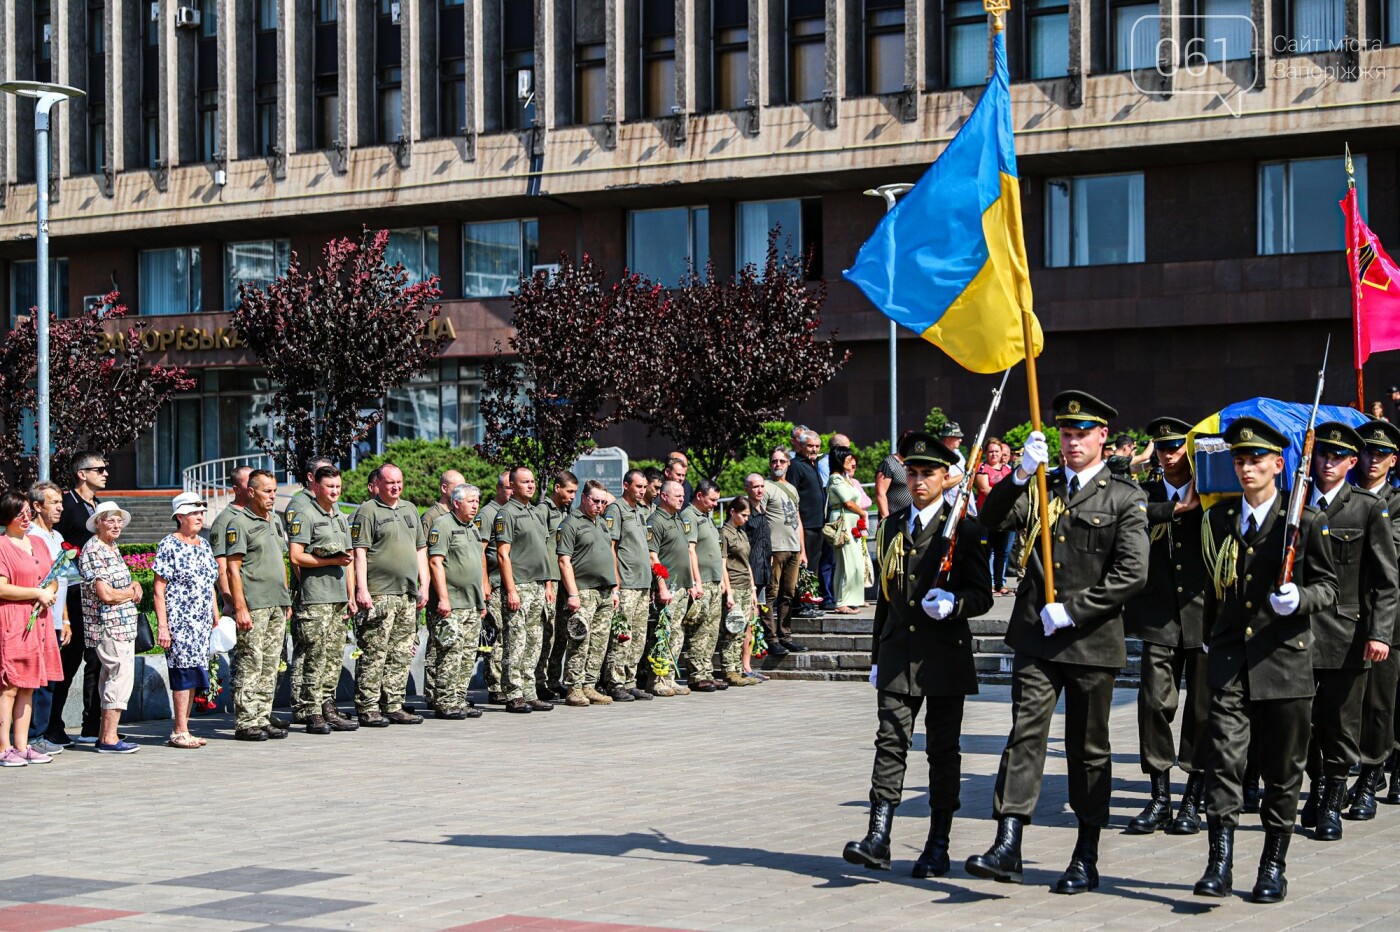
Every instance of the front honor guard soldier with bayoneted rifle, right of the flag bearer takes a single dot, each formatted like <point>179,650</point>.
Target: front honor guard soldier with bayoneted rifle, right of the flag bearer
<point>1261,656</point>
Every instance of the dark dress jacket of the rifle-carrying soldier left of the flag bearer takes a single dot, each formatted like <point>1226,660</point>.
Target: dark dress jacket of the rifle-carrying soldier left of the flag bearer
<point>915,654</point>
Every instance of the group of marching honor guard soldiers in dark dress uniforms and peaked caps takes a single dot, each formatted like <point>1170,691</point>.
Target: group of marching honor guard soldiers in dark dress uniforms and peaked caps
<point>1286,674</point>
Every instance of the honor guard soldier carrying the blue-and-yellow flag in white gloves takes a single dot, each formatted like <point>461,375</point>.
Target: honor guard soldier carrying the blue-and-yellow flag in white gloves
<point>1072,646</point>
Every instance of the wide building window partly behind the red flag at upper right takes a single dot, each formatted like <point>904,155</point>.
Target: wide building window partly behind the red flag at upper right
<point>1298,205</point>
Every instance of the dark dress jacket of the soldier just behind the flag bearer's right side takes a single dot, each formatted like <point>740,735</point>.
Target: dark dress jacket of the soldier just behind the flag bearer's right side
<point>1171,611</point>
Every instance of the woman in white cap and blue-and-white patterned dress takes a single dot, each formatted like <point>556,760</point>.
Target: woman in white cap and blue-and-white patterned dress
<point>187,609</point>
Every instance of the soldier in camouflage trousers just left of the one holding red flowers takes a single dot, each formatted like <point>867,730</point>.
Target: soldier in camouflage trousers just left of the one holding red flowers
<point>626,521</point>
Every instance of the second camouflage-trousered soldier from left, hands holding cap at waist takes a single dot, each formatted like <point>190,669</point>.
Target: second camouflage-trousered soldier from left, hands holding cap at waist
<point>321,555</point>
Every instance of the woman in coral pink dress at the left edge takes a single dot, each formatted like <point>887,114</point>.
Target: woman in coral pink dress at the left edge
<point>29,653</point>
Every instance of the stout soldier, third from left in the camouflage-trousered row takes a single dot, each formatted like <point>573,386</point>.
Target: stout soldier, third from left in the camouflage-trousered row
<point>391,572</point>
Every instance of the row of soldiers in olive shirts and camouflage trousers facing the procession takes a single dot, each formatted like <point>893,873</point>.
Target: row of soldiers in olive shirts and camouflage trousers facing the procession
<point>590,605</point>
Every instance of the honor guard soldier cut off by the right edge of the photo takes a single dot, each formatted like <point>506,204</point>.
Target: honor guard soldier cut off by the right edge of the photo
<point>1378,738</point>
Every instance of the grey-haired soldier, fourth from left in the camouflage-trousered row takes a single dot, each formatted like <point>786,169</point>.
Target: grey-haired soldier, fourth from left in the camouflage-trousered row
<point>457,562</point>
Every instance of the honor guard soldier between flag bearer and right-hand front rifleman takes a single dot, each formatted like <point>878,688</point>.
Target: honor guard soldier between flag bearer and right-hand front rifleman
<point>1167,616</point>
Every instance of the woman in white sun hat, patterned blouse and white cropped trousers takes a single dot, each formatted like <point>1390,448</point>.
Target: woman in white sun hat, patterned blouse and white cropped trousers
<point>110,614</point>
